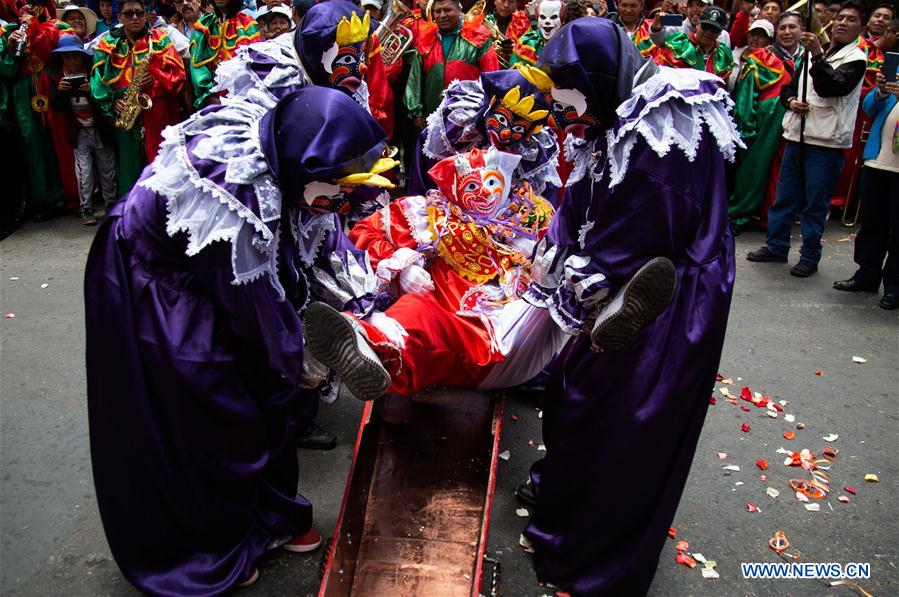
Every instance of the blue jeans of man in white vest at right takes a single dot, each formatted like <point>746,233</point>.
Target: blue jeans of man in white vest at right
<point>811,185</point>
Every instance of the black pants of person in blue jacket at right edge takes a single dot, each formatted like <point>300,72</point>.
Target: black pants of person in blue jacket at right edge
<point>879,234</point>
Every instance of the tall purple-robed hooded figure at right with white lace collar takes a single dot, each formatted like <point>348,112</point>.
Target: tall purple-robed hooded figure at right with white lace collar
<point>652,185</point>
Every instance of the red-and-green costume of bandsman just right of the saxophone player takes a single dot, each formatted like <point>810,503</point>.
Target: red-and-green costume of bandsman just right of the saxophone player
<point>214,40</point>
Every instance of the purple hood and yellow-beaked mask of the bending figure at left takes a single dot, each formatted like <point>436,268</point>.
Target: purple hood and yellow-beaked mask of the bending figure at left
<point>318,141</point>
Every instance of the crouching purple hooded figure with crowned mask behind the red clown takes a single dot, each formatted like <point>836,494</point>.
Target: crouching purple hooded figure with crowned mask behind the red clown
<point>502,109</point>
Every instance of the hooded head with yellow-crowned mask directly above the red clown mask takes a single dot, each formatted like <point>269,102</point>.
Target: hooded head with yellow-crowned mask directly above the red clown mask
<point>513,107</point>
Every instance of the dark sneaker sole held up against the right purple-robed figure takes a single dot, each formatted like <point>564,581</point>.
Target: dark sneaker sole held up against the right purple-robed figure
<point>638,303</point>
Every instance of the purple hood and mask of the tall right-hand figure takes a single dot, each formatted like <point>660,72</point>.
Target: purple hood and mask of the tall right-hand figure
<point>592,63</point>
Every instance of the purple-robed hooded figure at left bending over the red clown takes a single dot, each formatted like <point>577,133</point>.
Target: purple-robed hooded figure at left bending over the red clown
<point>195,365</point>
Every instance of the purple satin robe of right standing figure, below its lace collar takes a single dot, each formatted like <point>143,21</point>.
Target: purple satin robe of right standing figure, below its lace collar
<point>621,428</point>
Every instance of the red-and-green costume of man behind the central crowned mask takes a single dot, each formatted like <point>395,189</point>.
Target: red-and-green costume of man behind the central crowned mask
<point>430,72</point>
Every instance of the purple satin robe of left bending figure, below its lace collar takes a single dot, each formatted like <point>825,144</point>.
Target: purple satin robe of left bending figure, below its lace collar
<point>191,389</point>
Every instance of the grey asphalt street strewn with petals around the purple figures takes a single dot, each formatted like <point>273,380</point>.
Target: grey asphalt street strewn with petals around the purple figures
<point>782,332</point>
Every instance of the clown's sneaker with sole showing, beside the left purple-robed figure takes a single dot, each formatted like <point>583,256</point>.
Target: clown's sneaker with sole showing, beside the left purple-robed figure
<point>335,340</point>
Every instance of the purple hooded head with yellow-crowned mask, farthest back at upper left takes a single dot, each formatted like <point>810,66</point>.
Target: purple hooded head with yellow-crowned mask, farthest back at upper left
<point>330,42</point>
